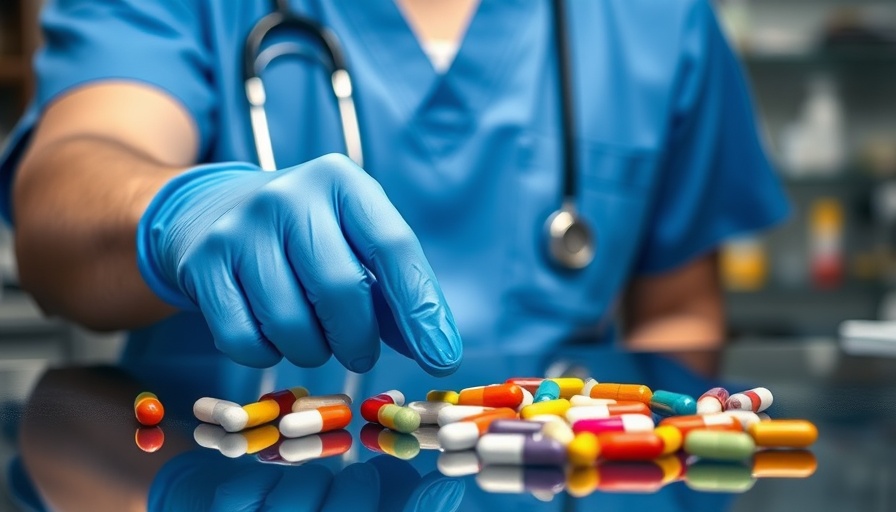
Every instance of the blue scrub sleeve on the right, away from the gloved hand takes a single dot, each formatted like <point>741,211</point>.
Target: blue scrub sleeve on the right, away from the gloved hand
<point>715,179</point>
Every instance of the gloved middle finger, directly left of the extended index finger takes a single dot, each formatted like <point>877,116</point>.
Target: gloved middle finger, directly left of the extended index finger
<point>337,286</point>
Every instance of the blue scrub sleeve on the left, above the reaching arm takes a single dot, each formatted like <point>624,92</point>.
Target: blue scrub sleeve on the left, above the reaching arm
<point>156,43</point>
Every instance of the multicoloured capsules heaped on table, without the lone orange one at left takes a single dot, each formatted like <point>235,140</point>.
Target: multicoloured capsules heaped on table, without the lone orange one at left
<point>534,435</point>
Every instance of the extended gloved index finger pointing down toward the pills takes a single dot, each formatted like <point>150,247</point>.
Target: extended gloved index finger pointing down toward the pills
<point>386,245</point>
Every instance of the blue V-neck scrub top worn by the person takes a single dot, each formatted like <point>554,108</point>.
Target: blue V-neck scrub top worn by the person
<point>670,160</point>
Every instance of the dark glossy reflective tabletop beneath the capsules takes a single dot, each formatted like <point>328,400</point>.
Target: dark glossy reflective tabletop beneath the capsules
<point>79,447</point>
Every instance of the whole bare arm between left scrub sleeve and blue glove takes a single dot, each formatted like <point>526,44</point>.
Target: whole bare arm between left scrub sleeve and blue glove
<point>79,192</point>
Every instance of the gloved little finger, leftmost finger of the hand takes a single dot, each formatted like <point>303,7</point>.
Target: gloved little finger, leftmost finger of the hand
<point>209,277</point>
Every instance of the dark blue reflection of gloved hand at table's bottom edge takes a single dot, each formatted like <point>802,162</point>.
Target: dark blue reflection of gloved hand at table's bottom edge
<point>205,480</point>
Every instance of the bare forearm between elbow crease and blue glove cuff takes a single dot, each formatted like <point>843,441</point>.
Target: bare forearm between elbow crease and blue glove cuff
<point>77,203</point>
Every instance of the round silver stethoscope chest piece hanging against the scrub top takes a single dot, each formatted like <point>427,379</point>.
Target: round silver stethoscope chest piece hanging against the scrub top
<point>571,243</point>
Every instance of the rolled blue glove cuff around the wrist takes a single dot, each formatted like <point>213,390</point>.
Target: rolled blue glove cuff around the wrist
<point>147,260</point>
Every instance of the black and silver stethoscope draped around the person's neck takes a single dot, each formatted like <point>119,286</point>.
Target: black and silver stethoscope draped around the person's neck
<point>570,241</point>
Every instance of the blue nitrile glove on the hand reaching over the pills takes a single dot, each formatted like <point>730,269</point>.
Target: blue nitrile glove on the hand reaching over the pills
<point>280,264</point>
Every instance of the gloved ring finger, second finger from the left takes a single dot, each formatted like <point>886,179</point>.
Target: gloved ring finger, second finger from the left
<point>278,302</point>
